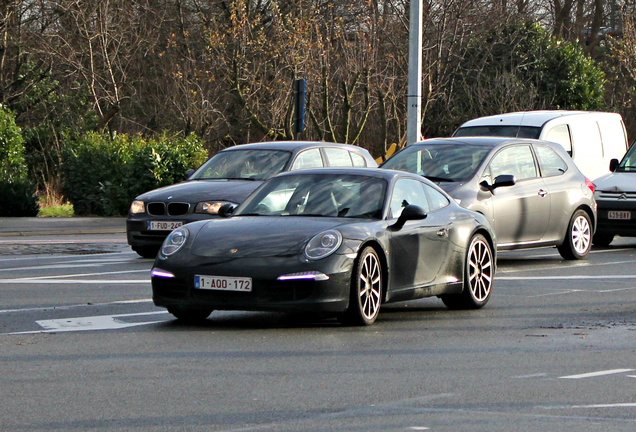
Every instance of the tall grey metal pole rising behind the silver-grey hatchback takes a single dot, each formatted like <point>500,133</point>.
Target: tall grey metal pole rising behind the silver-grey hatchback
<point>414,97</point>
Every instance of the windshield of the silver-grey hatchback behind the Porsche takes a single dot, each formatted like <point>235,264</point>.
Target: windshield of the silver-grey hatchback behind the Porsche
<point>440,162</point>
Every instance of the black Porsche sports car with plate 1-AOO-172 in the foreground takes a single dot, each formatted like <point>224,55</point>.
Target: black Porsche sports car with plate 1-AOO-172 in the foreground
<point>340,241</point>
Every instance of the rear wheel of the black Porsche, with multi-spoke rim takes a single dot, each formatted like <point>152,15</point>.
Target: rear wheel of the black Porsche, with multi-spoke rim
<point>479,273</point>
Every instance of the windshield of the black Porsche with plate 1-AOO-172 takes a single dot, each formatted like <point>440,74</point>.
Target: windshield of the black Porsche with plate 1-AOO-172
<point>327,195</point>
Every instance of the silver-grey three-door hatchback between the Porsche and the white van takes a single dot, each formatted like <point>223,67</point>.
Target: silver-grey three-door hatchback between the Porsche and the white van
<point>530,190</point>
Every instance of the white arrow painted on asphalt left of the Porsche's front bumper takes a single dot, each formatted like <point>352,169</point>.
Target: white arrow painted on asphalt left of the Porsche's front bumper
<point>100,322</point>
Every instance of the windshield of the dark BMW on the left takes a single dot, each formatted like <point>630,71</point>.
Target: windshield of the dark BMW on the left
<point>243,165</point>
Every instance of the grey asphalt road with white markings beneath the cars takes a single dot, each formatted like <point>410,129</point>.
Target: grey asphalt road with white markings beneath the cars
<point>82,348</point>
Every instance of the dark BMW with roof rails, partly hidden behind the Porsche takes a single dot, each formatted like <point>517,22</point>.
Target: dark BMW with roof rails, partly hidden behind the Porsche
<point>227,177</point>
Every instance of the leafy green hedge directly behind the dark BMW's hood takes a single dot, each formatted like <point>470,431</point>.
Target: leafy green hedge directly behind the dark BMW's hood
<point>102,175</point>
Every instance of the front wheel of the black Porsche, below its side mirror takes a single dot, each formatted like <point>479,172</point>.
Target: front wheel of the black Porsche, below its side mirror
<point>366,290</point>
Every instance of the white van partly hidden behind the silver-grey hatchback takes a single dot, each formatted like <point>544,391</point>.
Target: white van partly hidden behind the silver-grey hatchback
<point>591,138</point>
